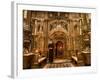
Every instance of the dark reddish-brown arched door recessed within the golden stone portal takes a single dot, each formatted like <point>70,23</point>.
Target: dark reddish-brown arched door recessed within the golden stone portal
<point>59,53</point>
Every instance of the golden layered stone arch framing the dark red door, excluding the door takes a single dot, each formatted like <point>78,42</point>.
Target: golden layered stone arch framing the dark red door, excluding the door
<point>59,34</point>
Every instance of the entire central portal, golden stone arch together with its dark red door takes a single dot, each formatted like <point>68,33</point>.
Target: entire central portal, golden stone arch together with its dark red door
<point>59,38</point>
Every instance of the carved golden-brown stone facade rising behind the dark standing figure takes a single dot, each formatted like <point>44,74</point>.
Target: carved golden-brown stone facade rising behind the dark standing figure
<point>69,31</point>
